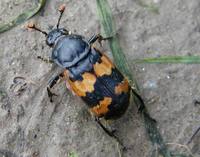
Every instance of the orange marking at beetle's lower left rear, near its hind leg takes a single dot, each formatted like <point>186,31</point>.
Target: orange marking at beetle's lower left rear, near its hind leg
<point>102,107</point>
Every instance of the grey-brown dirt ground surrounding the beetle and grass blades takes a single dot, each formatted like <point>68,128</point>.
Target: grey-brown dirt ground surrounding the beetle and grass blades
<point>31,126</point>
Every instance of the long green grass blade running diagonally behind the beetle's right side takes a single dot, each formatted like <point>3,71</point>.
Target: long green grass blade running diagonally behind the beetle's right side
<point>107,23</point>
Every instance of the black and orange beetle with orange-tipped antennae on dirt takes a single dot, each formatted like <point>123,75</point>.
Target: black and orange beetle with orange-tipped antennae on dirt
<point>90,74</point>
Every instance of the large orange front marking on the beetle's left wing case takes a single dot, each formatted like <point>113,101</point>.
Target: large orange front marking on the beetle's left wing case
<point>86,85</point>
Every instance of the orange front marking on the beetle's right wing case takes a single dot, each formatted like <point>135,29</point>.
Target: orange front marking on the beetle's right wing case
<point>103,68</point>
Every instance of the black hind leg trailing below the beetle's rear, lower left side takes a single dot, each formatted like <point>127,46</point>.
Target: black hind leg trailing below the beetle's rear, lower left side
<point>110,133</point>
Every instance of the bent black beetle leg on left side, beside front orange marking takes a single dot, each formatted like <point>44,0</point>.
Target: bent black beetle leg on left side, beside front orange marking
<point>52,83</point>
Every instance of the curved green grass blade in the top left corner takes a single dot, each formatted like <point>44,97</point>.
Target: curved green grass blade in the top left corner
<point>22,17</point>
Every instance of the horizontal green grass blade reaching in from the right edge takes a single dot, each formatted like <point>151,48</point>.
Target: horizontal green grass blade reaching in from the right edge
<point>171,59</point>
